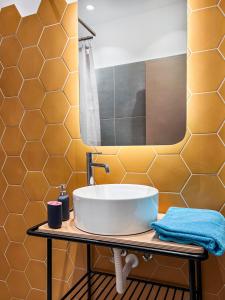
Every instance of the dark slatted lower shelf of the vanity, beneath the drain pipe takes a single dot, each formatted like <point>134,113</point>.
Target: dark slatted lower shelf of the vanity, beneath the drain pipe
<point>99,286</point>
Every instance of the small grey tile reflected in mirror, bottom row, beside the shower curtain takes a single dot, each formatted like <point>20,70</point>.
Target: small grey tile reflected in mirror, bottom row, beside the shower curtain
<point>107,132</point>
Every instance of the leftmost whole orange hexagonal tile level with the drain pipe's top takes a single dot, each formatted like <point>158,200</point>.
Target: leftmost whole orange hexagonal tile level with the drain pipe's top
<point>20,260</point>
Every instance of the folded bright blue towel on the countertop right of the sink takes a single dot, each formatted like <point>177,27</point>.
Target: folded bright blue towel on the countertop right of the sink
<point>202,227</point>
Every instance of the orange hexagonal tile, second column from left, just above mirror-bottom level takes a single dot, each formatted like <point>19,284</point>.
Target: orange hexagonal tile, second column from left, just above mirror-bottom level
<point>33,125</point>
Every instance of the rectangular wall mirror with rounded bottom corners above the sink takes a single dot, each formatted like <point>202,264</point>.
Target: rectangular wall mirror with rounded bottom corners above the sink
<point>132,71</point>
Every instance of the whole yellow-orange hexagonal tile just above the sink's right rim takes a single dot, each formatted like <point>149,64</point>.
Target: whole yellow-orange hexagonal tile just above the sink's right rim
<point>173,176</point>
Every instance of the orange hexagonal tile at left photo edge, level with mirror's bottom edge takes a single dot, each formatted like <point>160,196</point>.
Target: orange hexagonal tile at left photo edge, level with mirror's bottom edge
<point>13,141</point>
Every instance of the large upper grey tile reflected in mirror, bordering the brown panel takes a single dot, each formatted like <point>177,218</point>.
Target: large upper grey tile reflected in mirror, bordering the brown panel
<point>130,90</point>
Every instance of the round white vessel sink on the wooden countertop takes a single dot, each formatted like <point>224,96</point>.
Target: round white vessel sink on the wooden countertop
<point>115,209</point>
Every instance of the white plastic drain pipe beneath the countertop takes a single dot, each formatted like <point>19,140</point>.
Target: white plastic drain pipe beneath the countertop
<point>131,262</point>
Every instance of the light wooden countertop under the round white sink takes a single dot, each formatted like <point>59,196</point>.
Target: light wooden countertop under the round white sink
<point>147,239</point>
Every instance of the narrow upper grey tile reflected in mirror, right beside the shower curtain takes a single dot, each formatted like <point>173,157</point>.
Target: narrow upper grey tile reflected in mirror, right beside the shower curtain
<point>105,84</point>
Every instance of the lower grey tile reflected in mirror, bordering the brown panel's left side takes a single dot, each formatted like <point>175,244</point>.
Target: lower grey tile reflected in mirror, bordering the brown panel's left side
<point>130,131</point>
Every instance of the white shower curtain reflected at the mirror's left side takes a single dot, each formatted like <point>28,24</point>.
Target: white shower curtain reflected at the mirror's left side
<point>89,104</point>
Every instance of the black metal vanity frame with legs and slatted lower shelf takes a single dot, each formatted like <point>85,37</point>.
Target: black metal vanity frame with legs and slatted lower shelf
<point>85,284</point>
